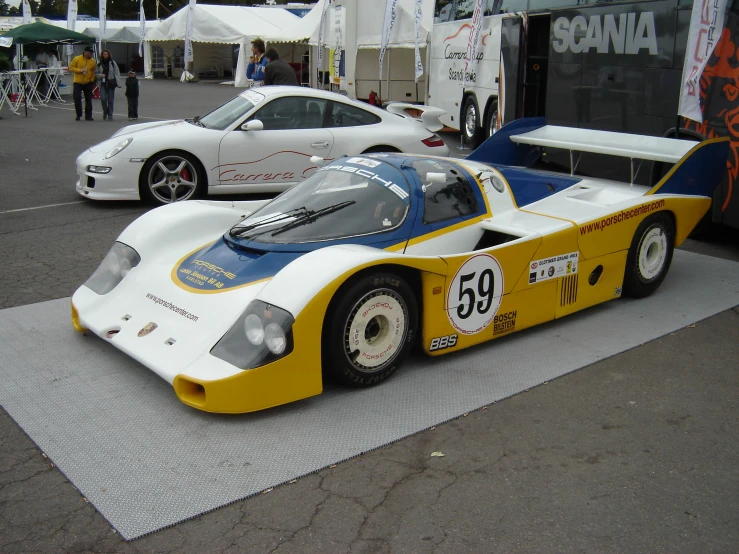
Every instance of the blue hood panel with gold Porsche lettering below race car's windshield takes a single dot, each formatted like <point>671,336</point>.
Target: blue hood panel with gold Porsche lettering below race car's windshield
<point>218,267</point>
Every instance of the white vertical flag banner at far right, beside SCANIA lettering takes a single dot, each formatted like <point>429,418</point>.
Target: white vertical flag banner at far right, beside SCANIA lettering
<point>706,24</point>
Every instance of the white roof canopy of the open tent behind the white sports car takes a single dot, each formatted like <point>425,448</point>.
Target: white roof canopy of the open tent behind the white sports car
<point>226,24</point>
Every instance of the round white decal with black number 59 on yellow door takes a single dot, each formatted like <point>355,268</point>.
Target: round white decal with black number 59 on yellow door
<point>475,294</point>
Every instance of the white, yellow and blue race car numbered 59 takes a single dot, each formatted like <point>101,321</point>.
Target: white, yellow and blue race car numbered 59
<point>243,306</point>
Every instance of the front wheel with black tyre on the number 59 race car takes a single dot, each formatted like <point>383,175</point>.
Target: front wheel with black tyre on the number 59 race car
<point>369,330</point>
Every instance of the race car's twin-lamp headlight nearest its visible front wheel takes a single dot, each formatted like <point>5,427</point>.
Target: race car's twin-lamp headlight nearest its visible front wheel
<point>262,334</point>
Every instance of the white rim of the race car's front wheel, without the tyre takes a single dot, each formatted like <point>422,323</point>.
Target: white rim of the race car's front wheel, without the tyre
<point>376,330</point>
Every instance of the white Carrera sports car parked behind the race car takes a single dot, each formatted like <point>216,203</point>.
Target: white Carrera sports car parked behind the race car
<point>260,141</point>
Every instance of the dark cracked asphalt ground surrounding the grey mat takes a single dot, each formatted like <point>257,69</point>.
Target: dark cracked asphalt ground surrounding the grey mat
<point>637,453</point>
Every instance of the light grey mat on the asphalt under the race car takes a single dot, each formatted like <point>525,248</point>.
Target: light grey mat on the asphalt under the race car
<point>146,461</point>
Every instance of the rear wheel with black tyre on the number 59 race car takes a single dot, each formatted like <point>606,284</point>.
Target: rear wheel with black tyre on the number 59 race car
<point>649,256</point>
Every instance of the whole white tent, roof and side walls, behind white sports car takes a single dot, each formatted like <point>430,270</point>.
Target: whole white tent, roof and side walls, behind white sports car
<point>221,25</point>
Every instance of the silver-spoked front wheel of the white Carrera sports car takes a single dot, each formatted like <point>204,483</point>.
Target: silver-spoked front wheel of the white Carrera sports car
<point>171,176</point>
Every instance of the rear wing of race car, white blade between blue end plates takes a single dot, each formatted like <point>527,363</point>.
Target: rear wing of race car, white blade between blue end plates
<point>521,143</point>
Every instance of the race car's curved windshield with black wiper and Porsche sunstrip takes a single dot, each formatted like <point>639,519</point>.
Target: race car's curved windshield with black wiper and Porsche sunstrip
<point>350,197</point>
